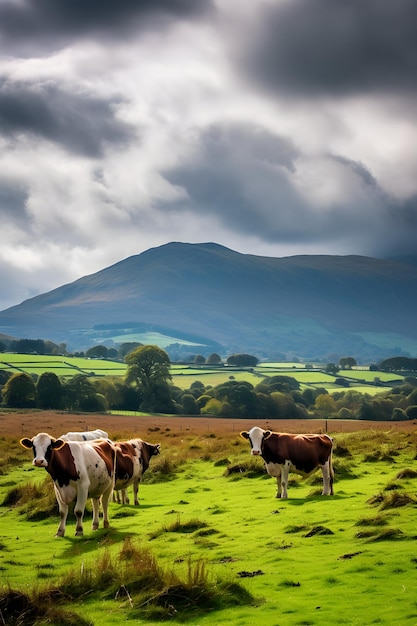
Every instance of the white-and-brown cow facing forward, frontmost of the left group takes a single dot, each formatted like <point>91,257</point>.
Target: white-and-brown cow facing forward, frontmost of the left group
<point>80,470</point>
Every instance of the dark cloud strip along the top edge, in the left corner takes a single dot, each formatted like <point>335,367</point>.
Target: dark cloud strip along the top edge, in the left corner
<point>45,23</point>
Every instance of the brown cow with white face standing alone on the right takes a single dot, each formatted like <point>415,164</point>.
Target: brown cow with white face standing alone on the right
<point>284,453</point>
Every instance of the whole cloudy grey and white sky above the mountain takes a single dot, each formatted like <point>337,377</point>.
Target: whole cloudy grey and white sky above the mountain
<point>273,127</point>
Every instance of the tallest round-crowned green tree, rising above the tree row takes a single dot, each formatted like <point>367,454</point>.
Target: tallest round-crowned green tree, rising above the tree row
<point>148,368</point>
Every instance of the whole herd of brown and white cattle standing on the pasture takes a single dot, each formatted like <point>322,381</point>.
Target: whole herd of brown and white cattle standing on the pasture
<point>90,465</point>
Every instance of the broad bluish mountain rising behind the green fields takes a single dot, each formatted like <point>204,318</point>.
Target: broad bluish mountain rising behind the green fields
<point>308,306</point>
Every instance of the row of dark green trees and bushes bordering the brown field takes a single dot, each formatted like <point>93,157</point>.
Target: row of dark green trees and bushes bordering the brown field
<point>148,387</point>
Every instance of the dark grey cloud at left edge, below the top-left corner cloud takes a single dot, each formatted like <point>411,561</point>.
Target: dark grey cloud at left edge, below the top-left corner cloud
<point>80,123</point>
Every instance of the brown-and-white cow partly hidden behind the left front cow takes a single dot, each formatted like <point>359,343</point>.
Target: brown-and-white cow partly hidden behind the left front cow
<point>132,461</point>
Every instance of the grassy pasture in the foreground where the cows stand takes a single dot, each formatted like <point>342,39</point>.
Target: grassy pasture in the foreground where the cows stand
<point>208,513</point>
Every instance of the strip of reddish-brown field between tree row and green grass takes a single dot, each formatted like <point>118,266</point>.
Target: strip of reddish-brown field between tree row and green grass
<point>29,423</point>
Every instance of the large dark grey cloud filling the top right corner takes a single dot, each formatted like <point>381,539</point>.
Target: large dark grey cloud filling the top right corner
<point>332,47</point>
